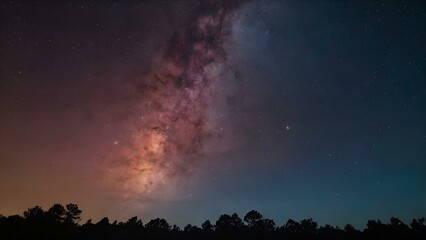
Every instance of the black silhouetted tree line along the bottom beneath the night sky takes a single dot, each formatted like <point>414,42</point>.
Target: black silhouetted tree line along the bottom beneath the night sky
<point>63,222</point>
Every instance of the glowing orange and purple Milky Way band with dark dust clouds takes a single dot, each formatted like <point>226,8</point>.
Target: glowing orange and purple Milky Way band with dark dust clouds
<point>171,118</point>
